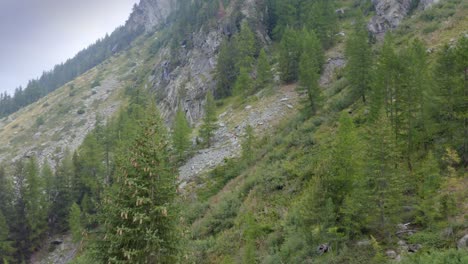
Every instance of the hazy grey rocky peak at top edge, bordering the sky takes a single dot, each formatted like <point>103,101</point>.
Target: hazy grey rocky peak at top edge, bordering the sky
<point>149,14</point>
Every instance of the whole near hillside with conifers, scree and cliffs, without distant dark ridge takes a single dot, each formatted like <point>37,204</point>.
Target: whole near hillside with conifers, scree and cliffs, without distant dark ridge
<point>336,136</point>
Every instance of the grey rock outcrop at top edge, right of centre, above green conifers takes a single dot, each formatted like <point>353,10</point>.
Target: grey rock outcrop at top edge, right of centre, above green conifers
<point>389,15</point>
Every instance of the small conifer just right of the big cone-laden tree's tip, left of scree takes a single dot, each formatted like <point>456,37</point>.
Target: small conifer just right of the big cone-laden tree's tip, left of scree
<point>180,134</point>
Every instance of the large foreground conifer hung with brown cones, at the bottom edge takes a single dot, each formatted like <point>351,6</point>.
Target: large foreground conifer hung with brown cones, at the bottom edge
<point>139,217</point>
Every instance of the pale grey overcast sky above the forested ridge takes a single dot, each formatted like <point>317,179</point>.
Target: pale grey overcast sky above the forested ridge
<point>35,35</point>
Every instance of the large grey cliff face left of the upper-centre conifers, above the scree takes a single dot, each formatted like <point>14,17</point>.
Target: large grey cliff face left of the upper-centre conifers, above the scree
<point>187,82</point>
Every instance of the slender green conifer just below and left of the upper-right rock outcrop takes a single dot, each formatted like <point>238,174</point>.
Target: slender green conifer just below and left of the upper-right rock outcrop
<point>358,53</point>
